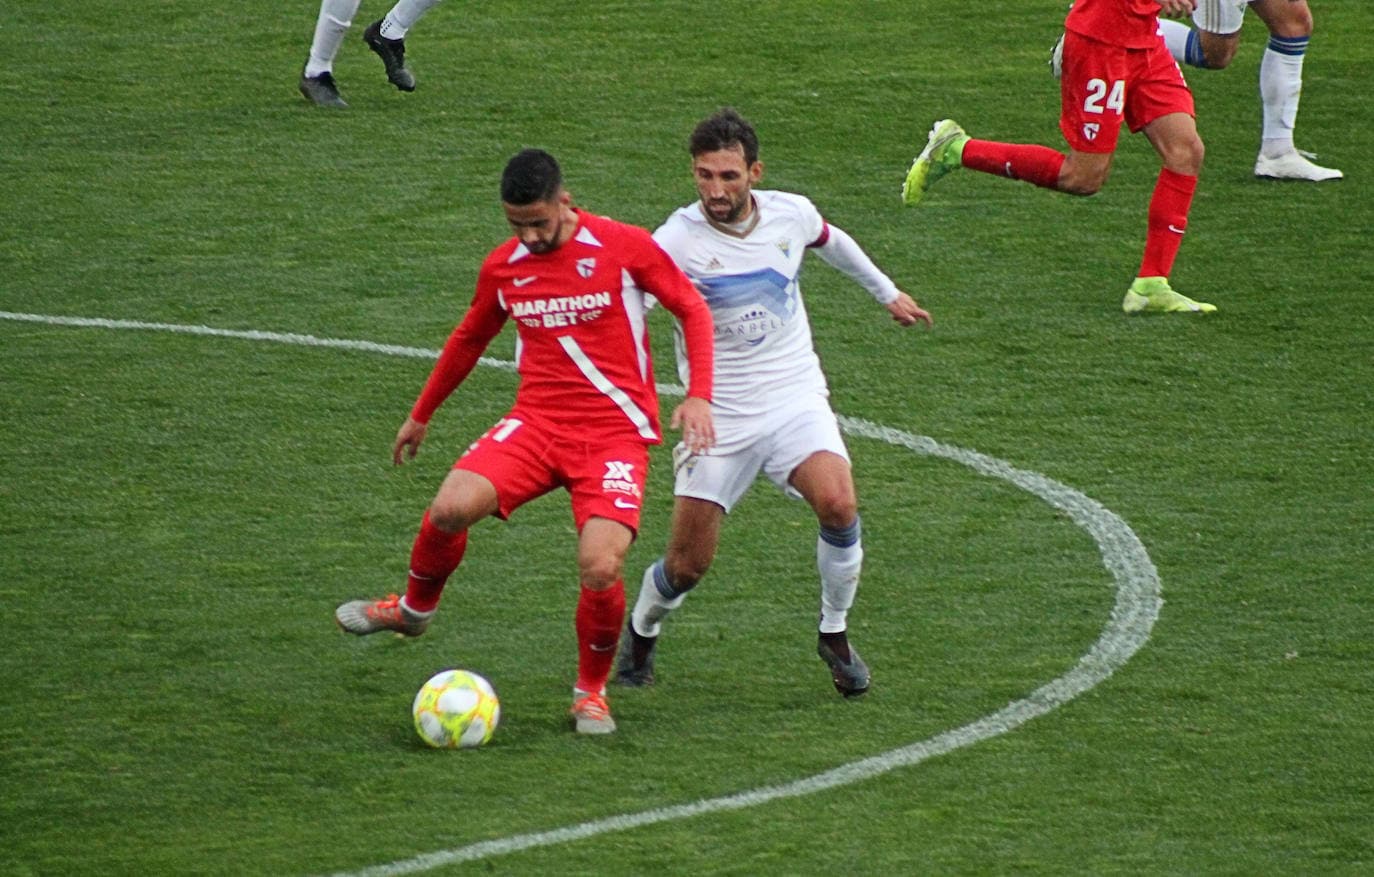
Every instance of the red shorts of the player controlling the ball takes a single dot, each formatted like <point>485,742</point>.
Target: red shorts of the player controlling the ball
<point>524,461</point>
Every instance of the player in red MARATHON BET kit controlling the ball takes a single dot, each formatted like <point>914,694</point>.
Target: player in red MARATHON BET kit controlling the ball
<point>585,413</point>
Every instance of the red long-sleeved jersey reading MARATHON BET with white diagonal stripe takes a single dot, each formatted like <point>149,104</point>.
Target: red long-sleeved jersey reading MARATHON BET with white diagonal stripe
<point>582,344</point>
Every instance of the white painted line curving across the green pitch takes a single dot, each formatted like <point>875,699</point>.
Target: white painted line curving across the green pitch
<point>1133,617</point>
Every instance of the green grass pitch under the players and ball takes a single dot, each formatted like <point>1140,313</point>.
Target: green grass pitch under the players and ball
<point>181,513</point>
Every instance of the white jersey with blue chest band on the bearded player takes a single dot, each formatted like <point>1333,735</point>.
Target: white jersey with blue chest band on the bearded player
<point>765,354</point>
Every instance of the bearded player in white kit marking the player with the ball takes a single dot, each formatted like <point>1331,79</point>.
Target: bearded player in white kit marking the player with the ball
<point>744,251</point>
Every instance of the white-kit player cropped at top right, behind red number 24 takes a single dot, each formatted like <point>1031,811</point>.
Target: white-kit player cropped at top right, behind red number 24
<point>1214,45</point>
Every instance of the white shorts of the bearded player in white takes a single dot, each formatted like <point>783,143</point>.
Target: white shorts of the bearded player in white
<point>774,443</point>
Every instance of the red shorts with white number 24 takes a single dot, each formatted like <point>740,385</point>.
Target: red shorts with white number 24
<point>1105,85</point>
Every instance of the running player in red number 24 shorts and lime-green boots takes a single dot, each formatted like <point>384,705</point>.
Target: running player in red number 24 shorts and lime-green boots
<point>1115,69</point>
